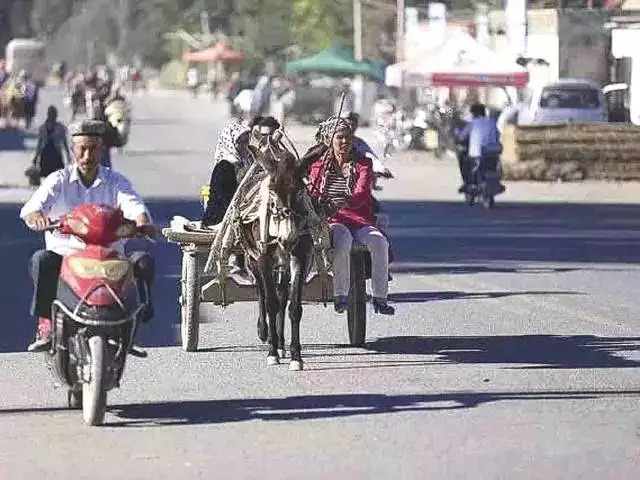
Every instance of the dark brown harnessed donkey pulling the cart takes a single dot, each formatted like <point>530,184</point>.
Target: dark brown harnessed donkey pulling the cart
<point>279,247</point>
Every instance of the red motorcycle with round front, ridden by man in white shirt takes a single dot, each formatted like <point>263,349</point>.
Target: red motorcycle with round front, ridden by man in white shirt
<point>96,311</point>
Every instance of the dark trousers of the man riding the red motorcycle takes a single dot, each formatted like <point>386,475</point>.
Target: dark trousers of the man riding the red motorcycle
<point>44,269</point>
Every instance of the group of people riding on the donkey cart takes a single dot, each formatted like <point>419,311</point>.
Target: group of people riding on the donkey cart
<point>340,175</point>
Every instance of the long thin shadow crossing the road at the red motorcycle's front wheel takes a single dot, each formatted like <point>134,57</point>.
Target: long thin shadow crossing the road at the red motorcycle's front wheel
<point>315,407</point>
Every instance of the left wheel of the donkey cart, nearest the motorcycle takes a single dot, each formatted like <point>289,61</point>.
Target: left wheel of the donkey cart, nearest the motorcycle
<point>190,302</point>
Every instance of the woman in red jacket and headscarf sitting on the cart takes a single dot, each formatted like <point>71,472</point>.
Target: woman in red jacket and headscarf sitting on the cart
<point>343,181</point>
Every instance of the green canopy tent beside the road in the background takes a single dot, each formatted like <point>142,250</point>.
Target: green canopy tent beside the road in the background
<point>334,60</point>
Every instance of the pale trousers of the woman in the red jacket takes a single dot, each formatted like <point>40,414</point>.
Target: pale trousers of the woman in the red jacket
<point>377,245</point>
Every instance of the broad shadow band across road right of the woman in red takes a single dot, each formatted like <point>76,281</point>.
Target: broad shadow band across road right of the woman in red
<point>451,234</point>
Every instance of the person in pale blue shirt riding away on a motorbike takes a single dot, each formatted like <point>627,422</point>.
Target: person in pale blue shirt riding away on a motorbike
<point>483,146</point>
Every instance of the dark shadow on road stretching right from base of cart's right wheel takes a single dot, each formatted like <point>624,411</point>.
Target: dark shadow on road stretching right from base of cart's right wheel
<point>525,351</point>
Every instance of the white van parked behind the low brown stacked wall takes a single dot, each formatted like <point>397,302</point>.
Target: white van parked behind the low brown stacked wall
<point>563,101</point>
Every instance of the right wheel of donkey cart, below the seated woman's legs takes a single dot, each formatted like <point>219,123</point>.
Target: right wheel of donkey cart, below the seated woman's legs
<point>357,311</point>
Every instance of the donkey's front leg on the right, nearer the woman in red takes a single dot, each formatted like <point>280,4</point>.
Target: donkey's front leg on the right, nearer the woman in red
<point>299,261</point>
